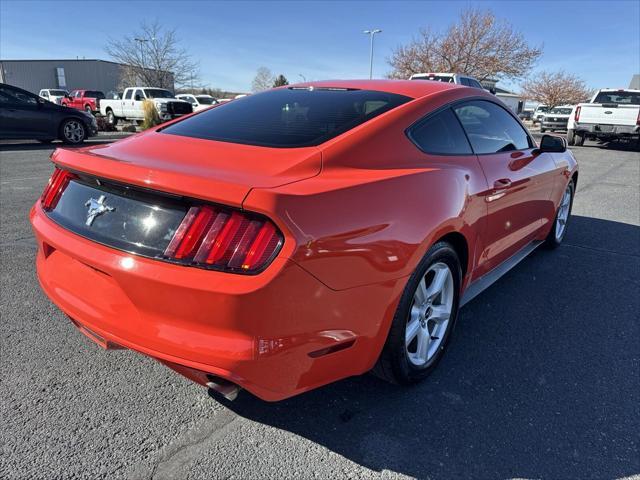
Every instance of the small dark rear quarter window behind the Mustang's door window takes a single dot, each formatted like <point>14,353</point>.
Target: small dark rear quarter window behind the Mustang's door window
<point>441,134</point>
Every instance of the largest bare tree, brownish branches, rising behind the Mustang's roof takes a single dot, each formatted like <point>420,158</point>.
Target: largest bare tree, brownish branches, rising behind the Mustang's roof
<point>478,44</point>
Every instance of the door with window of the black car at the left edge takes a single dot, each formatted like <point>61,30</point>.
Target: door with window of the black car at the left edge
<point>22,116</point>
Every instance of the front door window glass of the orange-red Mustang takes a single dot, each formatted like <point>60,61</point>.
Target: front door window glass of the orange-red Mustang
<point>490,128</point>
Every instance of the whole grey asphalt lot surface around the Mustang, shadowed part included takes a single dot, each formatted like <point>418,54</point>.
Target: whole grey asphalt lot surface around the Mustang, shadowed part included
<point>541,381</point>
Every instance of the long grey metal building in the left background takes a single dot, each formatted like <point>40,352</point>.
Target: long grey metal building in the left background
<point>34,75</point>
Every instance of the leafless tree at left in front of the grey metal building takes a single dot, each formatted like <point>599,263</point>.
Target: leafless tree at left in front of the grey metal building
<point>153,56</point>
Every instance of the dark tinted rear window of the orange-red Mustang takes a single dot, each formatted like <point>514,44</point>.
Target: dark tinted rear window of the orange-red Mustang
<point>288,118</point>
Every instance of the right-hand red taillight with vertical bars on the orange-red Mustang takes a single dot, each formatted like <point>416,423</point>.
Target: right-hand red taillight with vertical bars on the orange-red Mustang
<point>211,236</point>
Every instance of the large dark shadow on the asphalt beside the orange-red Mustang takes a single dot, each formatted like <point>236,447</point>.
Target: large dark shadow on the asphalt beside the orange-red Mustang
<point>541,380</point>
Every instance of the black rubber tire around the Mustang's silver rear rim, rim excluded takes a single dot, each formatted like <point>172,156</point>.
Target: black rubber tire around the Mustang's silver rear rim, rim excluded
<point>394,364</point>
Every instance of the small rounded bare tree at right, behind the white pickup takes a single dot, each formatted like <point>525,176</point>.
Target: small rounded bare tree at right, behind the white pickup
<point>555,88</point>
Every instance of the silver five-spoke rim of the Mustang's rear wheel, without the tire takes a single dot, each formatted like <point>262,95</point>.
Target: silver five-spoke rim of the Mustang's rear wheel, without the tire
<point>430,314</point>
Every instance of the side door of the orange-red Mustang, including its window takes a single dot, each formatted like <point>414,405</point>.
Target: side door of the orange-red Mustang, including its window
<point>519,177</point>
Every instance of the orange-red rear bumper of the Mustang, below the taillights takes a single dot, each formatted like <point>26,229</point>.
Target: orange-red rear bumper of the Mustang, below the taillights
<point>276,334</point>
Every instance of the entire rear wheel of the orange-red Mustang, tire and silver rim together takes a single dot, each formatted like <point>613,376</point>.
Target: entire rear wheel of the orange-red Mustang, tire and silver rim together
<point>405,359</point>
